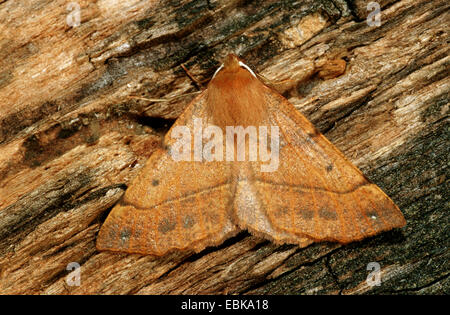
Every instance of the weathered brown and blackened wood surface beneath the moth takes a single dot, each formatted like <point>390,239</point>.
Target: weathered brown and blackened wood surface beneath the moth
<point>71,138</point>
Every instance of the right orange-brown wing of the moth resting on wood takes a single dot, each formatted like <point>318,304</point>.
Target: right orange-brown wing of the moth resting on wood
<point>315,193</point>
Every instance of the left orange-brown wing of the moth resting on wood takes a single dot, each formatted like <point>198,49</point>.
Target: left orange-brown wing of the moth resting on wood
<point>172,204</point>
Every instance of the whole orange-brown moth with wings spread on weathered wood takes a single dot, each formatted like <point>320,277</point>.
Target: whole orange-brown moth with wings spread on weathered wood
<point>313,194</point>
